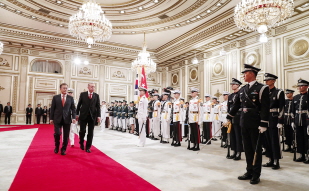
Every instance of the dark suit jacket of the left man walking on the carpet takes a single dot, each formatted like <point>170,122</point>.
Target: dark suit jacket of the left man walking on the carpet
<point>59,112</point>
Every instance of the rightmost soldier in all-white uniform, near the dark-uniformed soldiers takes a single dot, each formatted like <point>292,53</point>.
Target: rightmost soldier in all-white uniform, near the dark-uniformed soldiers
<point>216,124</point>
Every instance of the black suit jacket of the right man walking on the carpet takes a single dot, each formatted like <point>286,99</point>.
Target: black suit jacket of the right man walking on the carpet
<point>87,106</point>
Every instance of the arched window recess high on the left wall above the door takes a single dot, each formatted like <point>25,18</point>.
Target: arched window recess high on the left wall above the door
<point>46,66</point>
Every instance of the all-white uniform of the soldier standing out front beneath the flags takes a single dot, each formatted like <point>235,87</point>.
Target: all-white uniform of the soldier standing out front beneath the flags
<point>142,107</point>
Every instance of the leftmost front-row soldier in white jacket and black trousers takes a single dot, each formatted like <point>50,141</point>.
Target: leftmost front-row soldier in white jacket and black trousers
<point>177,117</point>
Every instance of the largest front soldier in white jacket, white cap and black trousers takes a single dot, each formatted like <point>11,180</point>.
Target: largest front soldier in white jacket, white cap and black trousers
<point>195,119</point>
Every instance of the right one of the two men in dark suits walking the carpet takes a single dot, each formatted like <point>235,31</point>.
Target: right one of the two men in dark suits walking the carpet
<point>88,112</point>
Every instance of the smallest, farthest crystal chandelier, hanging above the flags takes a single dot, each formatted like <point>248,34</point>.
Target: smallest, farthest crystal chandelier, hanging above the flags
<point>144,59</point>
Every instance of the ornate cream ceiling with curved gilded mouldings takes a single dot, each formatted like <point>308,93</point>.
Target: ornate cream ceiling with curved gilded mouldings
<point>174,29</point>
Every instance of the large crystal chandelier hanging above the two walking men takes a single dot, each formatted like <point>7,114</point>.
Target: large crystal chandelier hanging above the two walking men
<point>90,24</point>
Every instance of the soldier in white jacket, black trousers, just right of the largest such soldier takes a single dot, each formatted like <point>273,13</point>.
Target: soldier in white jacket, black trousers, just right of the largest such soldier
<point>207,126</point>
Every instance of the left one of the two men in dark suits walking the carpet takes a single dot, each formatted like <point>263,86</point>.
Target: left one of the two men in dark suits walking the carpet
<point>62,114</point>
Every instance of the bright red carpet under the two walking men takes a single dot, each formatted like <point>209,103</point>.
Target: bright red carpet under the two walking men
<point>41,169</point>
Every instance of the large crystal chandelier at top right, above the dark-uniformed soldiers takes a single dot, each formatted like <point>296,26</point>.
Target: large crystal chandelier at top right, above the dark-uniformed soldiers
<point>260,15</point>
